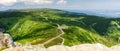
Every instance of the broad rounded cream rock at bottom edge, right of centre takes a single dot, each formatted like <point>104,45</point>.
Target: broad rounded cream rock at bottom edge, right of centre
<point>89,47</point>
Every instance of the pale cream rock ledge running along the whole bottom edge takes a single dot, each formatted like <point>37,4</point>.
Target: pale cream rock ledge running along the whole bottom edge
<point>82,47</point>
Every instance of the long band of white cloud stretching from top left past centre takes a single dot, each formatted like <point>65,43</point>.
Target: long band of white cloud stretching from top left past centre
<point>30,2</point>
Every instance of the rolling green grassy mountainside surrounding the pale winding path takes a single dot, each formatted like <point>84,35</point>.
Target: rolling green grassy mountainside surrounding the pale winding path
<point>39,25</point>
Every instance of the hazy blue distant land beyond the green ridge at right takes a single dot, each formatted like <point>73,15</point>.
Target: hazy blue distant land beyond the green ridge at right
<point>104,13</point>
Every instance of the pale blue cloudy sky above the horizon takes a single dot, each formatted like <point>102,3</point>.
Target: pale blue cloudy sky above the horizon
<point>61,4</point>
